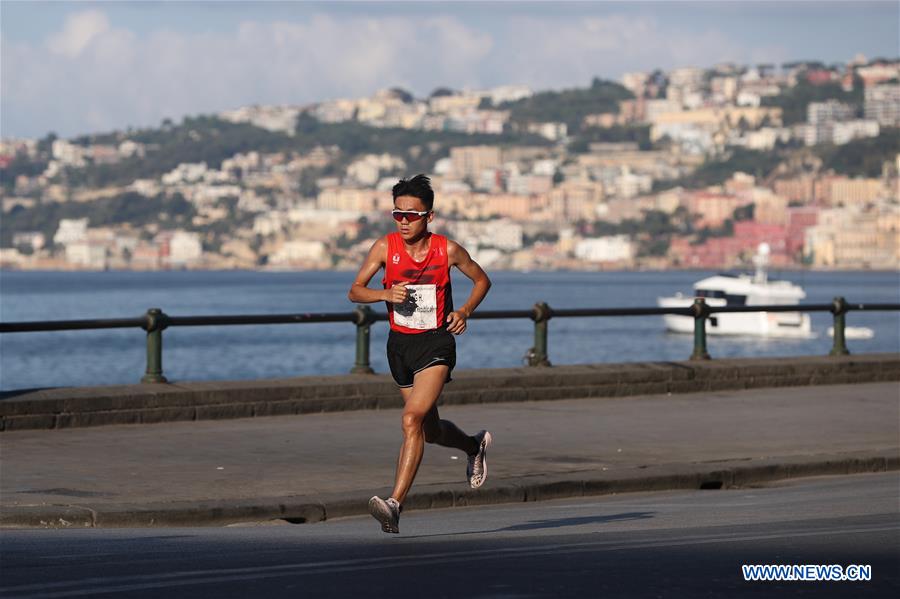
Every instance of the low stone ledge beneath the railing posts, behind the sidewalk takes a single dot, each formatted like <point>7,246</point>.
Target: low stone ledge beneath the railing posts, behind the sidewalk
<point>60,408</point>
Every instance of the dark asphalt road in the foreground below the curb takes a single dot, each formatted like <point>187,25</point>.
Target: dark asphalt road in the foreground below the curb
<point>673,544</point>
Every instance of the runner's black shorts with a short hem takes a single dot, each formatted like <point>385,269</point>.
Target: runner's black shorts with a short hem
<point>412,353</point>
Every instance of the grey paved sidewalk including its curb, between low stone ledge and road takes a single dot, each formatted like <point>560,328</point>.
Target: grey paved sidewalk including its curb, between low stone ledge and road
<point>312,467</point>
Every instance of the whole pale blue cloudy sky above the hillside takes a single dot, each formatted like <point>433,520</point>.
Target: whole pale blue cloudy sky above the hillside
<point>80,67</point>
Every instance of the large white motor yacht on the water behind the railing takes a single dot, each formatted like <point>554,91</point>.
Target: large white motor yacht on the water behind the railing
<point>744,290</point>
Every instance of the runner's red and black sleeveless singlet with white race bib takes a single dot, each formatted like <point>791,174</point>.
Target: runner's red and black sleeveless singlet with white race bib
<point>430,298</point>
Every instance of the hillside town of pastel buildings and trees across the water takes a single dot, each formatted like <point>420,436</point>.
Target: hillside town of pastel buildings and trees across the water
<point>691,168</point>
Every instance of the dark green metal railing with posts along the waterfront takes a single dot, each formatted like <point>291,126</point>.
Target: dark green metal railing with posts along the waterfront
<point>155,321</point>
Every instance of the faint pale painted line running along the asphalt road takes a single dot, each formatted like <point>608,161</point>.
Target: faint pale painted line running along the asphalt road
<point>198,577</point>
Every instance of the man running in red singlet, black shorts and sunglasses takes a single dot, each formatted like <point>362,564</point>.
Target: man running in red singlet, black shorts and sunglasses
<point>421,349</point>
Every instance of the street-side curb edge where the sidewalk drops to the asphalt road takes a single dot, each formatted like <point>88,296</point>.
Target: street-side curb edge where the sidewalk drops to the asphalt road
<point>310,509</point>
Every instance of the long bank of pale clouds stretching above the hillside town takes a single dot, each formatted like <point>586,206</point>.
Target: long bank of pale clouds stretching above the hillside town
<point>94,76</point>
